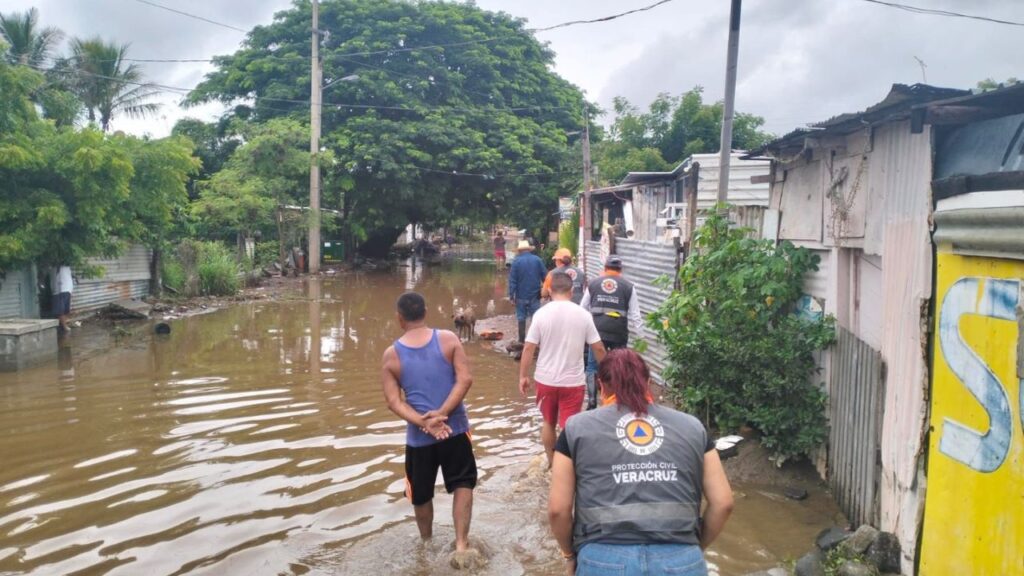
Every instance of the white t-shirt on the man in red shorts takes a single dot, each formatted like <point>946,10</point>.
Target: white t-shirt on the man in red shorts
<point>561,330</point>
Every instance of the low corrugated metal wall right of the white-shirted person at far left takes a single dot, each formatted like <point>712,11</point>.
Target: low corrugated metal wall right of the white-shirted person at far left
<point>125,277</point>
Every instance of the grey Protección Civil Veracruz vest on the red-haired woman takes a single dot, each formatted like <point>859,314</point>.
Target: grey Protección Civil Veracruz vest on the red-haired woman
<point>638,479</point>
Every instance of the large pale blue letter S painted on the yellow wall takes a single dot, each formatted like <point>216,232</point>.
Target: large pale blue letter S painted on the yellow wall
<point>984,452</point>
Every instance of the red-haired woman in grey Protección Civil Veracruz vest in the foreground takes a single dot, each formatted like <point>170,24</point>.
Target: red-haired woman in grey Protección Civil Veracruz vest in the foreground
<point>628,481</point>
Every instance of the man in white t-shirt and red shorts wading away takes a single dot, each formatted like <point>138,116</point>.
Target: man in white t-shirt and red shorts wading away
<point>561,330</point>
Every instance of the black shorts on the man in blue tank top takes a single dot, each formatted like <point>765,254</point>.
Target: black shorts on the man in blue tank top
<point>454,457</point>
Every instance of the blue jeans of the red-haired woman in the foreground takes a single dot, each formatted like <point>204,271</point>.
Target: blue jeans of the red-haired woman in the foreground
<point>641,560</point>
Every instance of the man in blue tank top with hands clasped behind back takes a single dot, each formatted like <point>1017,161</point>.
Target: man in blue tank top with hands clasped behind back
<point>425,377</point>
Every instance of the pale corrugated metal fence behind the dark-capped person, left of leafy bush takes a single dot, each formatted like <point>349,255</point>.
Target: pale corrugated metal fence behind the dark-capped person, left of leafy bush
<point>644,263</point>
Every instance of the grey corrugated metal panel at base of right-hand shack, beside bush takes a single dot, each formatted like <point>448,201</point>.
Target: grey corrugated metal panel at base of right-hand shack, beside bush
<point>856,407</point>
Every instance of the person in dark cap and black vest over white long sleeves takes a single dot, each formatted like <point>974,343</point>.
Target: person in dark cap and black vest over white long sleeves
<point>615,304</point>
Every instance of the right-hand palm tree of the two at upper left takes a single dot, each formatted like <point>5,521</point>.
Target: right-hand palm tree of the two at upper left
<point>108,85</point>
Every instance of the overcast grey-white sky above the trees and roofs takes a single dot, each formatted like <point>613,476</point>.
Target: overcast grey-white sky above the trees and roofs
<point>800,61</point>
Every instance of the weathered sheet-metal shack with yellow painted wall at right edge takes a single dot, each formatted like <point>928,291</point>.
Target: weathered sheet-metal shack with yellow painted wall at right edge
<point>866,191</point>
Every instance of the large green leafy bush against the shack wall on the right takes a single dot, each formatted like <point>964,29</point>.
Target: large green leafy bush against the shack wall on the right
<point>739,355</point>
